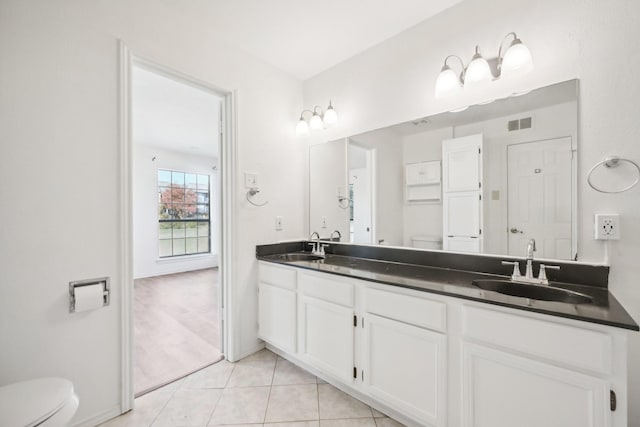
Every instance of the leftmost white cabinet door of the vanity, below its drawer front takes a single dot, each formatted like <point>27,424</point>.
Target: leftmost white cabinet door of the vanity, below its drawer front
<point>277,316</point>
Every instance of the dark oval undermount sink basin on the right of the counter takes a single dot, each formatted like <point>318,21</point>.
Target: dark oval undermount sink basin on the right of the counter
<point>539,292</point>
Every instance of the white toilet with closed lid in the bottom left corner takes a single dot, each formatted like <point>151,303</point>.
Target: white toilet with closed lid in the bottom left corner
<point>42,402</point>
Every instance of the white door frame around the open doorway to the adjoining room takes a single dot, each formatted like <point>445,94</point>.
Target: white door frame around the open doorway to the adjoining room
<point>226,212</point>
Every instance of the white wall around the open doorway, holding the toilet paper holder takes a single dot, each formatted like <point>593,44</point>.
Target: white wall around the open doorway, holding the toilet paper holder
<point>60,169</point>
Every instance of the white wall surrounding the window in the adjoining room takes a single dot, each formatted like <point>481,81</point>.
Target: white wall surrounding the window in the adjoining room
<point>146,262</point>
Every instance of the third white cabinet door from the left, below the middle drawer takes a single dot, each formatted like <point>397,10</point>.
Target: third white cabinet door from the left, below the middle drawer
<point>405,367</point>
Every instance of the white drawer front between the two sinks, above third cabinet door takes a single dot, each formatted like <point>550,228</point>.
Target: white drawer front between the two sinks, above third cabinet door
<point>406,308</point>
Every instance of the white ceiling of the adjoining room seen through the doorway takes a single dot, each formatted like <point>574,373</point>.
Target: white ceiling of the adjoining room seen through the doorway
<point>173,115</point>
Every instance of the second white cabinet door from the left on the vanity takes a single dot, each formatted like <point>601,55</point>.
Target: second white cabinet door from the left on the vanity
<point>326,337</point>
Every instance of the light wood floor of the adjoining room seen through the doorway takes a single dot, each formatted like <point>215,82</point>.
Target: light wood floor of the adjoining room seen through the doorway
<point>176,327</point>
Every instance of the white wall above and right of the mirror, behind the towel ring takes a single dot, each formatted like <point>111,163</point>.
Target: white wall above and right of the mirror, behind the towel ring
<point>568,39</point>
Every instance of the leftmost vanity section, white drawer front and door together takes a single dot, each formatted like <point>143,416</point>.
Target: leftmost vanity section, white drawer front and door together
<point>277,306</point>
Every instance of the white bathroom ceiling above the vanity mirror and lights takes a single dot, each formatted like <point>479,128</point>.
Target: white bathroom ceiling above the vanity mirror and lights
<point>304,38</point>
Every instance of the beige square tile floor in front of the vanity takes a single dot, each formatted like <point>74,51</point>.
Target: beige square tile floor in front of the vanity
<point>260,390</point>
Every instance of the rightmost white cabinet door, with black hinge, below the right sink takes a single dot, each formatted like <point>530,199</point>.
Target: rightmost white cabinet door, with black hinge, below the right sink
<point>504,390</point>
